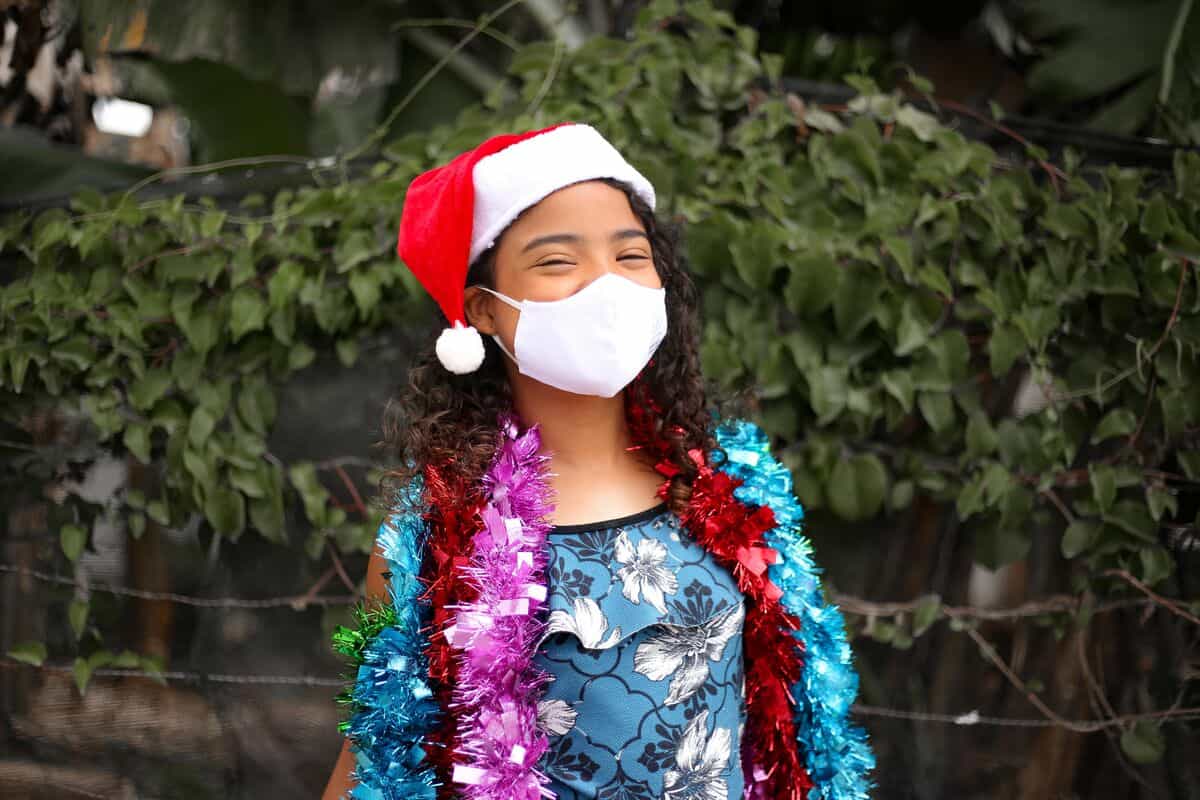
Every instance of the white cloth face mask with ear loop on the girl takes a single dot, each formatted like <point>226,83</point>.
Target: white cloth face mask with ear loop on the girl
<point>593,342</point>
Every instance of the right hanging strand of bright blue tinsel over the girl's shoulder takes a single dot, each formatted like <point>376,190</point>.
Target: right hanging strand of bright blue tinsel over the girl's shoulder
<point>837,754</point>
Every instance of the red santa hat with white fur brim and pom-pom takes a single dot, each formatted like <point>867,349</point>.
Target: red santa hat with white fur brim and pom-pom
<point>454,213</point>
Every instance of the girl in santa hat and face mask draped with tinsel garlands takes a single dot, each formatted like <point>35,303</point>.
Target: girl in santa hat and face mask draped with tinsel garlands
<point>589,586</point>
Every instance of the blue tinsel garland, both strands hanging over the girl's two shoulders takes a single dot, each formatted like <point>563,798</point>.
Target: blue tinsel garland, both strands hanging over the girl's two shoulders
<point>397,711</point>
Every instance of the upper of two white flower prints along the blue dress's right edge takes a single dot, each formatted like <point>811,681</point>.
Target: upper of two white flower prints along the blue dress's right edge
<point>686,652</point>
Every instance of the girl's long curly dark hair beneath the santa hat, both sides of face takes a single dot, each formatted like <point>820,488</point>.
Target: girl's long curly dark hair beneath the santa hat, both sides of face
<point>449,420</point>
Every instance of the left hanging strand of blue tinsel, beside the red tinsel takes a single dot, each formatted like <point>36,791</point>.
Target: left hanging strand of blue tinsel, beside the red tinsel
<point>395,708</point>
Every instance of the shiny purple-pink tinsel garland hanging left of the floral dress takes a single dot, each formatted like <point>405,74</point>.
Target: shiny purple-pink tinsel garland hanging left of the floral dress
<point>499,685</point>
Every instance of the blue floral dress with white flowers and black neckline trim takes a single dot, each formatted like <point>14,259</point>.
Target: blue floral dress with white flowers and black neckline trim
<point>645,647</point>
